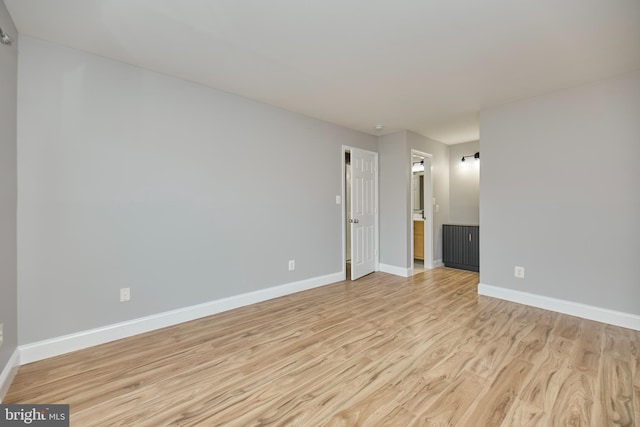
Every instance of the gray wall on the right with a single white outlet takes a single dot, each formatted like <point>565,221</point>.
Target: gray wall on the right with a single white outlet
<point>560,189</point>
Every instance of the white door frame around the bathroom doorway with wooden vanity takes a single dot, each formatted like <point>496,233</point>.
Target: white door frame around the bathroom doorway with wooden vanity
<point>428,207</point>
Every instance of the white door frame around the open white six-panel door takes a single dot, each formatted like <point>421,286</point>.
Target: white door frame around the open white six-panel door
<point>343,210</point>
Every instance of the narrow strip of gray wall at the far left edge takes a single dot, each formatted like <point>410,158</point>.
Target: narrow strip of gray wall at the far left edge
<point>8,189</point>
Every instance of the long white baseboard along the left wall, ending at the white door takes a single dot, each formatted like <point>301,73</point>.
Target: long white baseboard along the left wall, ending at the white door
<point>60,345</point>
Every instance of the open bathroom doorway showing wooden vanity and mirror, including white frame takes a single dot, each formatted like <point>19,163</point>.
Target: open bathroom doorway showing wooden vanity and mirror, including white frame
<point>421,219</point>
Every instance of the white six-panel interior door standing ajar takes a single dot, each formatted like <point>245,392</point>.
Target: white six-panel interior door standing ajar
<point>363,218</point>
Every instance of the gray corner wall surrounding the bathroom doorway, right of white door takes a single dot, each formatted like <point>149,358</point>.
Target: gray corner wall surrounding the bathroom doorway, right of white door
<point>394,152</point>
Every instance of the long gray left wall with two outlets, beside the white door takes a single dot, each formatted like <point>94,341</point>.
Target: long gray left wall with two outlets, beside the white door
<point>181,192</point>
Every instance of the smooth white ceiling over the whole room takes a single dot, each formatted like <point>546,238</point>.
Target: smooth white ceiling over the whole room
<point>423,65</point>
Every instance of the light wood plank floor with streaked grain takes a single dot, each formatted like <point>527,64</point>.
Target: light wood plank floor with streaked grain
<point>382,350</point>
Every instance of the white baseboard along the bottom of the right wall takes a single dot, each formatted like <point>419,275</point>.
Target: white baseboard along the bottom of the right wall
<point>612,317</point>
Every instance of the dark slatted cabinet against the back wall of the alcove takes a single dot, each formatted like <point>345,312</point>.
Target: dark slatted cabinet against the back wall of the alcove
<point>461,246</point>
